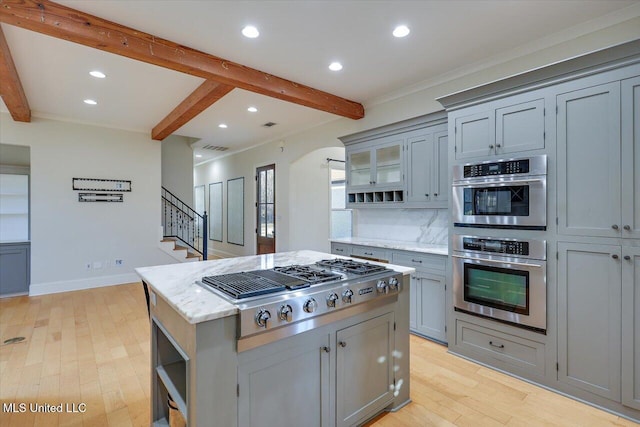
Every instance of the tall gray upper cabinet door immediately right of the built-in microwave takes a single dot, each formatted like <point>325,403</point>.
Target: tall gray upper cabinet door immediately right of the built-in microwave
<point>589,161</point>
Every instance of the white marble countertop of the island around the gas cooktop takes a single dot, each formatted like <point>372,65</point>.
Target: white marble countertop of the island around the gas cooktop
<point>176,283</point>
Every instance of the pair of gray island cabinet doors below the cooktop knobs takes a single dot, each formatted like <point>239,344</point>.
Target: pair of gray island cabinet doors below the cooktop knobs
<point>349,371</point>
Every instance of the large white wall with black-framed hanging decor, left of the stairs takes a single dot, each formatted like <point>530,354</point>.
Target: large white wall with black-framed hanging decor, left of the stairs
<point>67,234</point>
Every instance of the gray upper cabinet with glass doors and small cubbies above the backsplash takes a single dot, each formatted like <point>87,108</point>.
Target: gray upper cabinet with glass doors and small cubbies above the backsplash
<point>403,165</point>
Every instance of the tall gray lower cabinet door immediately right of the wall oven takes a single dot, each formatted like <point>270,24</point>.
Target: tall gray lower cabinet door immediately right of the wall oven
<point>589,321</point>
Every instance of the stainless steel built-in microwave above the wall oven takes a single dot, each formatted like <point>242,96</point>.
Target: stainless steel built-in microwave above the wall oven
<point>509,193</point>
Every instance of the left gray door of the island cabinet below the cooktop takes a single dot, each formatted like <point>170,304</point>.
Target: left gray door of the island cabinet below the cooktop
<point>286,384</point>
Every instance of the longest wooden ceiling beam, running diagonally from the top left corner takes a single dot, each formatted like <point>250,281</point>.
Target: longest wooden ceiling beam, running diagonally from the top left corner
<point>46,17</point>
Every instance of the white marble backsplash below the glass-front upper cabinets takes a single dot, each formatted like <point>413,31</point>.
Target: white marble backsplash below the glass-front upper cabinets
<point>428,226</point>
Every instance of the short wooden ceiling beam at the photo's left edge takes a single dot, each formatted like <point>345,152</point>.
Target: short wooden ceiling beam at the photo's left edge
<point>10,87</point>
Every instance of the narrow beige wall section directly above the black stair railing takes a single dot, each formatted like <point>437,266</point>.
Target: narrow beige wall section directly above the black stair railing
<point>177,167</point>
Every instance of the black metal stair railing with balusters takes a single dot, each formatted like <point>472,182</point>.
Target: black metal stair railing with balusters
<point>183,223</point>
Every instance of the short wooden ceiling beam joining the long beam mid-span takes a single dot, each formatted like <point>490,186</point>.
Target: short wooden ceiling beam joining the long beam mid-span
<point>203,97</point>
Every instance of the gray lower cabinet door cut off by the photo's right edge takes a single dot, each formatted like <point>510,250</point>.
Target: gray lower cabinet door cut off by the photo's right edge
<point>631,327</point>
